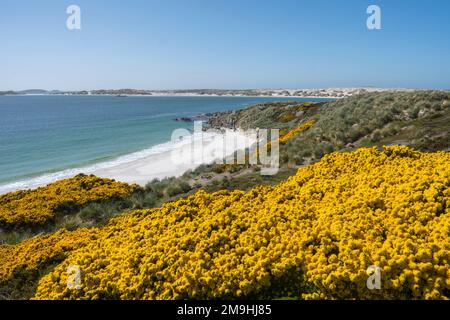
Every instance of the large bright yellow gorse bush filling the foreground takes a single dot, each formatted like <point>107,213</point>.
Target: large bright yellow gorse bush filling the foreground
<point>312,236</point>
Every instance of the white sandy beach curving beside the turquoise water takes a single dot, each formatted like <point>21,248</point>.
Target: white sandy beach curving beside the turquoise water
<point>155,162</point>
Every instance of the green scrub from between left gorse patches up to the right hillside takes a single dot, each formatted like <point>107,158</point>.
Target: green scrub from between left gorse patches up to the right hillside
<point>420,119</point>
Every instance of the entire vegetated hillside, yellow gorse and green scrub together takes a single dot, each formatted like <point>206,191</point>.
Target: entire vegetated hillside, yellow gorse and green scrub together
<point>339,203</point>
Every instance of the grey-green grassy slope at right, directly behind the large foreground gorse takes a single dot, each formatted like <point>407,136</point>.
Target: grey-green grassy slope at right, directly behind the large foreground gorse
<point>375,119</point>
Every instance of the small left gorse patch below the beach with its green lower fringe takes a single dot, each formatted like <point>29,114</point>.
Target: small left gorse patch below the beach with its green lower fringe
<point>28,212</point>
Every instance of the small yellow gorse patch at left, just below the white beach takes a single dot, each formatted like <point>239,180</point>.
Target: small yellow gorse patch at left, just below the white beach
<point>40,205</point>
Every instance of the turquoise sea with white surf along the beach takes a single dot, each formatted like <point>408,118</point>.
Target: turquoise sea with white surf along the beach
<point>41,136</point>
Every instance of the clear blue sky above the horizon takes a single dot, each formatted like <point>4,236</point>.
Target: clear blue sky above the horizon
<point>179,44</point>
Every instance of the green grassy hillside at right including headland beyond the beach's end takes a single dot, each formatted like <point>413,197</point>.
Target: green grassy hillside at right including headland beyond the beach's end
<point>418,119</point>
